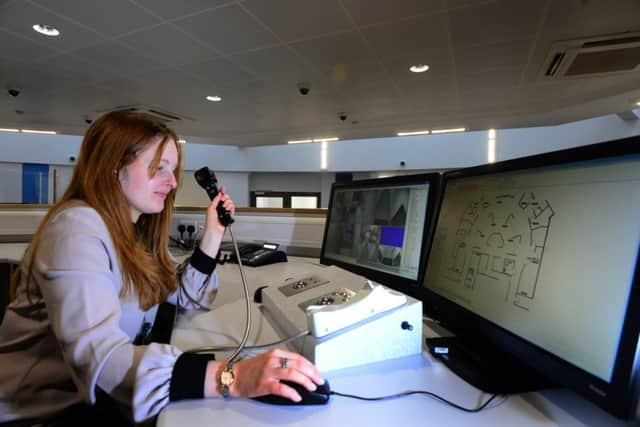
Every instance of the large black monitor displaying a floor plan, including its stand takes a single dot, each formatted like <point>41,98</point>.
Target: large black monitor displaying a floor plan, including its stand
<point>534,268</point>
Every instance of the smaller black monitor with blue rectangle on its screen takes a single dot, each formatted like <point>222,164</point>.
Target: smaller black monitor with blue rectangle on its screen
<point>377,228</point>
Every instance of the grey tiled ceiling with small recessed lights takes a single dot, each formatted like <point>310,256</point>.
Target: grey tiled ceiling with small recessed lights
<point>486,59</point>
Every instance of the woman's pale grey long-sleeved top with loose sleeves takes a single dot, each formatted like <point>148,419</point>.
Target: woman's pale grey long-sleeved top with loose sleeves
<point>76,334</point>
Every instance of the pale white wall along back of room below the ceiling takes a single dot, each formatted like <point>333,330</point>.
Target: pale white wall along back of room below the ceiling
<point>425,152</point>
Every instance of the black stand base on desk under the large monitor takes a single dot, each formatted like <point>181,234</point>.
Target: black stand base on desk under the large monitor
<point>489,369</point>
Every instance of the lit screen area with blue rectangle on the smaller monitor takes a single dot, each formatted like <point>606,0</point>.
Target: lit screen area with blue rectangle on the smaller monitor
<point>379,228</point>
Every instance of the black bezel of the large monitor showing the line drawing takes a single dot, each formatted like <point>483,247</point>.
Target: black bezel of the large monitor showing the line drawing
<point>619,396</point>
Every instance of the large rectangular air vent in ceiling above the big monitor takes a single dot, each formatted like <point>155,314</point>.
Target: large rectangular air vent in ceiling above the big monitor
<point>593,56</point>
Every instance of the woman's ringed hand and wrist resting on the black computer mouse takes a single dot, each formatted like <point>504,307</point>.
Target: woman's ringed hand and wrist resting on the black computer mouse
<point>261,375</point>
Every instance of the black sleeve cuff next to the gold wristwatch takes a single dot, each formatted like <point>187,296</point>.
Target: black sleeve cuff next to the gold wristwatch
<point>187,378</point>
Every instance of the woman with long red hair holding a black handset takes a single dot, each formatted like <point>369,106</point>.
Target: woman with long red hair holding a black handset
<point>73,340</point>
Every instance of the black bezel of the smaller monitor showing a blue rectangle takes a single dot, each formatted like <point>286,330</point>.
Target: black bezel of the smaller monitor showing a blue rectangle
<point>399,283</point>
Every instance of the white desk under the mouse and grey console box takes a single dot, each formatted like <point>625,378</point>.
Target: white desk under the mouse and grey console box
<point>224,325</point>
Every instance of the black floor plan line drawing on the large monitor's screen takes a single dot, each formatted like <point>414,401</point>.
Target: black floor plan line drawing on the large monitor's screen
<point>500,242</point>
